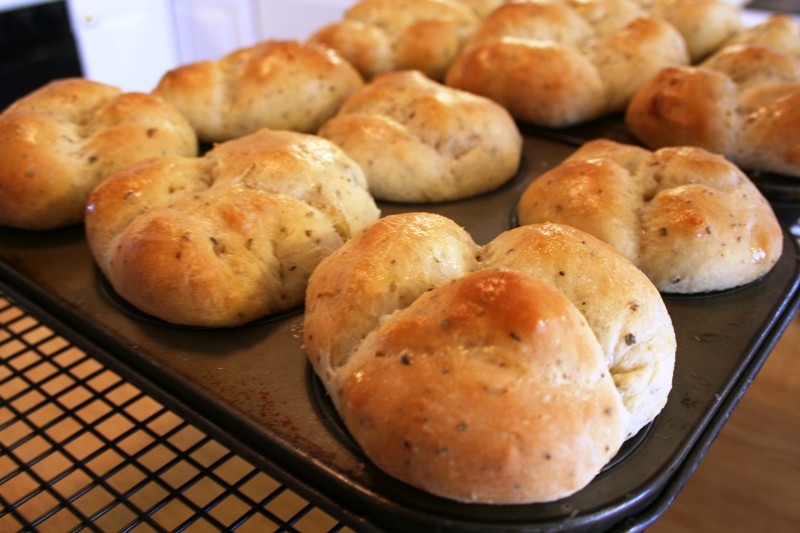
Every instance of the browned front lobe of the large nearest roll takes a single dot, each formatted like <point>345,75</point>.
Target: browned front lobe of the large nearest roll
<point>494,354</point>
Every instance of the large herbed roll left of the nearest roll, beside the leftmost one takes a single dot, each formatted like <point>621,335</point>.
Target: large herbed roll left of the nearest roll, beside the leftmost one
<point>224,239</point>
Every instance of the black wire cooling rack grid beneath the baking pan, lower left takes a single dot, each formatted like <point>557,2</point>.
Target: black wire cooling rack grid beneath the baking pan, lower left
<point>83,449</point>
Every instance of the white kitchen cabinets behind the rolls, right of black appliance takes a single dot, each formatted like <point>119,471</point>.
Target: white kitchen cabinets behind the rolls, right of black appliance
<point>132,43</point>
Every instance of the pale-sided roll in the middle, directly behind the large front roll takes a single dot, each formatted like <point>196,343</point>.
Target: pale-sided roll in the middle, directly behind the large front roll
<point>420,141</point>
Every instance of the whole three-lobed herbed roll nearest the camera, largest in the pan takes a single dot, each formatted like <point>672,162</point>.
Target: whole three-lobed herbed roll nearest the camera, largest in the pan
<point>507,373</point>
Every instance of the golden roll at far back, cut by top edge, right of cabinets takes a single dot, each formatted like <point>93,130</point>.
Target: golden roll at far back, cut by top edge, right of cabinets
<point>385,35</point>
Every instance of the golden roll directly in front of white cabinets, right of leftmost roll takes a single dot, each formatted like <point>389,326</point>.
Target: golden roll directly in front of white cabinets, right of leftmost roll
<point>281,85</point>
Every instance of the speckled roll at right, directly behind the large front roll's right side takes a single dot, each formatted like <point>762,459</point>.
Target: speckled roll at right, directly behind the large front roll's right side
<point>691,220</point>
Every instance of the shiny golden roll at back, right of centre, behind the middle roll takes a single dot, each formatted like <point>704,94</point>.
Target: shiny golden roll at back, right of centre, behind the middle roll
<point>549,65</point>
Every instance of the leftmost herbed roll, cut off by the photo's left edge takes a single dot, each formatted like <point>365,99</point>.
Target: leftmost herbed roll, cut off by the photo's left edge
<point>62,139</point>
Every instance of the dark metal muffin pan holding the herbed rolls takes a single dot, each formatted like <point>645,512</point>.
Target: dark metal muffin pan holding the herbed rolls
<point>252,388</point>
